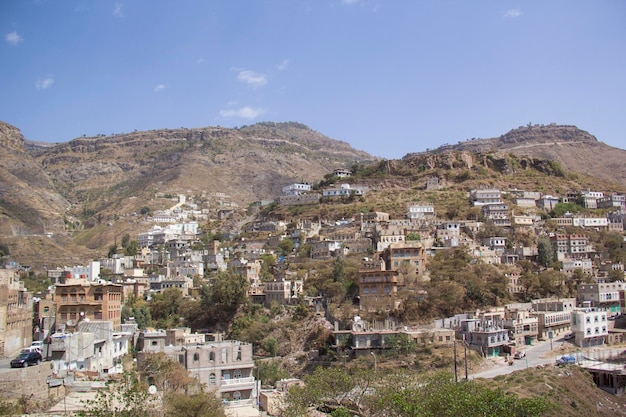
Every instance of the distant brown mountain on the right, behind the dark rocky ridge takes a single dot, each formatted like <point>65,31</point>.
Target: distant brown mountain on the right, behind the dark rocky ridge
<point>574,149</point>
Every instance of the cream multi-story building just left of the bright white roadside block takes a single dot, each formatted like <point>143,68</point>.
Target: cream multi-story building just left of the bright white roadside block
<point>554,315</point>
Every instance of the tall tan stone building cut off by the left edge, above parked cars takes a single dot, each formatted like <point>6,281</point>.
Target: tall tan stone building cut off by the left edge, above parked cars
<point>16,313</point>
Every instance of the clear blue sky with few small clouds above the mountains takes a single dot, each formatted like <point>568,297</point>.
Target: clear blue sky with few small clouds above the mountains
<point>389,77</point>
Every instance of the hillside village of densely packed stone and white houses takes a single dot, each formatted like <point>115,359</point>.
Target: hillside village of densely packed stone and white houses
<point>557,283</point>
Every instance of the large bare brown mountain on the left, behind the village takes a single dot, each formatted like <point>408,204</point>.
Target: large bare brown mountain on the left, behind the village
<point>88,185</point>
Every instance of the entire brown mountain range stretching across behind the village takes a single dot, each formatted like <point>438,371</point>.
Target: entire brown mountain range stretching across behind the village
<point>70,201</point>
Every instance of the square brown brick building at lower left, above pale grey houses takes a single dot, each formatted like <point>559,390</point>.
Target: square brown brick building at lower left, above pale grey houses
<point>78,300</point>
